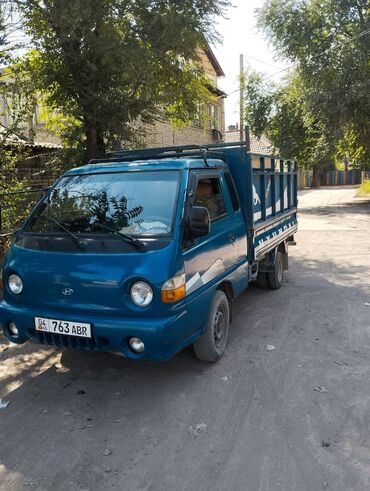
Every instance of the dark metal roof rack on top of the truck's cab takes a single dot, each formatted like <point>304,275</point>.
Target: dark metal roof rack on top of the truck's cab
<point>205,152</point>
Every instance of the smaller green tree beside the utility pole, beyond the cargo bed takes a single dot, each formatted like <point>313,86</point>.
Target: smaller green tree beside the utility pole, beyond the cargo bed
<point>284,115</point>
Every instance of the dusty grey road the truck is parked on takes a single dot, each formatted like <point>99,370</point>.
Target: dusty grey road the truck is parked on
<point>253,422</point>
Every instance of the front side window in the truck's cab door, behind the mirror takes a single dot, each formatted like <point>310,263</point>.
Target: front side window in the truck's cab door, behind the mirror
<point>208,194</point>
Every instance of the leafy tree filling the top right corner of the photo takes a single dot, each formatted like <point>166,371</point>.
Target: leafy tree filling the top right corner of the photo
<point>328,40</point>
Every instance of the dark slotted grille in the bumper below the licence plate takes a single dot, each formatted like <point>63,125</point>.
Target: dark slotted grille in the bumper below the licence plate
<point>92,344</point>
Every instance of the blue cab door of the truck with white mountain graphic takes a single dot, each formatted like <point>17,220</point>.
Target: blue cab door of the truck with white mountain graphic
<point>211,256</point>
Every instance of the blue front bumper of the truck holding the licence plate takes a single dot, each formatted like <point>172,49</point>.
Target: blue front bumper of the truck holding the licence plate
<point>163,337</point>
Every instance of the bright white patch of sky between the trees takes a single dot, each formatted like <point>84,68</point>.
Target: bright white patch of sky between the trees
<point>240,36</point>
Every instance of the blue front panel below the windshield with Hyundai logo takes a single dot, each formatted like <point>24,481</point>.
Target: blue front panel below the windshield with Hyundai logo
<point>88,282</point>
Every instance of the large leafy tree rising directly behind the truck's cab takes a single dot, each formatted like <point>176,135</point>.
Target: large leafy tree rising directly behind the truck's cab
<point>108,64</point>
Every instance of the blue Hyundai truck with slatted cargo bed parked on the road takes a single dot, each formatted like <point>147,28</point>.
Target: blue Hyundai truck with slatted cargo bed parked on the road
<point>143,253</point>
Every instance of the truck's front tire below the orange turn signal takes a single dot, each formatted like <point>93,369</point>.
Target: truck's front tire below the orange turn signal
<point>211,346</point>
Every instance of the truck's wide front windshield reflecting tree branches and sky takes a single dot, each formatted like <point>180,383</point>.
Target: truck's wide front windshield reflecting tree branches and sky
<point>133,203</point>
